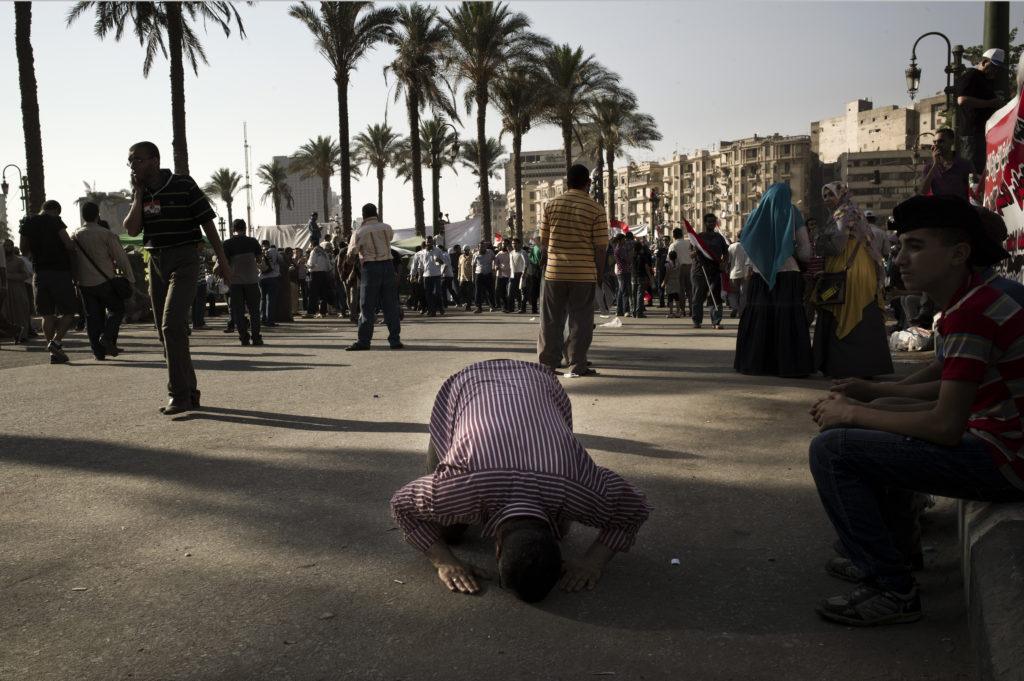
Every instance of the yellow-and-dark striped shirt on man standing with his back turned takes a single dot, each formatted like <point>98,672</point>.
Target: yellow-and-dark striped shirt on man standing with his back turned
<point>574,228</point>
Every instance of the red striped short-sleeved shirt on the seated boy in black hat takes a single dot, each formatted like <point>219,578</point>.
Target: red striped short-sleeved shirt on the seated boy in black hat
<point>984,343</point>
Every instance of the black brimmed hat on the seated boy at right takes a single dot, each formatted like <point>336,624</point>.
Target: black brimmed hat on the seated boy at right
<point>948,212</point>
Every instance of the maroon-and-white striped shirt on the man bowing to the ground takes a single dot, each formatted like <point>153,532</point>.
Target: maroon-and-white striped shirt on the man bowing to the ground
<point>503,434</point>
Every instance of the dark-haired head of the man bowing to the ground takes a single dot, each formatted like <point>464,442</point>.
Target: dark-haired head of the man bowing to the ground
<point>530,563</point>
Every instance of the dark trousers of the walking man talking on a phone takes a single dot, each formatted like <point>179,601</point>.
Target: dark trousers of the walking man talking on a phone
<point>174,275</point>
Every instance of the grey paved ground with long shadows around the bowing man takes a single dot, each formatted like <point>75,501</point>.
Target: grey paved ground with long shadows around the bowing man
<point>252,540</point>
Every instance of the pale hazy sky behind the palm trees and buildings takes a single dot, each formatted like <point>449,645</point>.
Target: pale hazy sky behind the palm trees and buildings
<point>706,71</point>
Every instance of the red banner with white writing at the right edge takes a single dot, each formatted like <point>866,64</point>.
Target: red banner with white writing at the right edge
<point>1005,169</point>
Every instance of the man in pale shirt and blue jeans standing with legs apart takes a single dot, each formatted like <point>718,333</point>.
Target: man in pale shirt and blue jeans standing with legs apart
<point>378,281</point>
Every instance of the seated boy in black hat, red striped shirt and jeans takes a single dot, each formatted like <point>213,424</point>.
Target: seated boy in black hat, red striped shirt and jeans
<point>965,444</point>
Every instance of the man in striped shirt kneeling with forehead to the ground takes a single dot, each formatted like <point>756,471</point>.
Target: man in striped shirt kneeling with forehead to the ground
<point>503,456</point>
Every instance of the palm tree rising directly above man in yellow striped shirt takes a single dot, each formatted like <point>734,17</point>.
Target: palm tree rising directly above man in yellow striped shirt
<point>573,82</point>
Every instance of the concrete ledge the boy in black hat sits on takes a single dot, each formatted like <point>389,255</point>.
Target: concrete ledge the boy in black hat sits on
<point>993,545</point>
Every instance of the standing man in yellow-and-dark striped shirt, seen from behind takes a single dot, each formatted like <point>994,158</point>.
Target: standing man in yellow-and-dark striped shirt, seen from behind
<point>575,236</point>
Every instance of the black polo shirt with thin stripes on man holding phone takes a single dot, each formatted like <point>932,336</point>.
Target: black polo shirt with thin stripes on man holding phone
<point>173,216</point>
